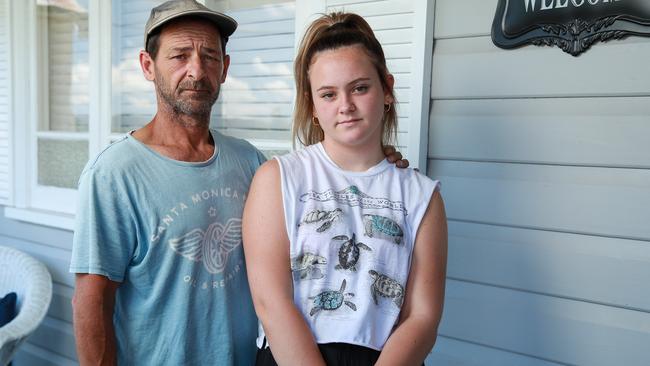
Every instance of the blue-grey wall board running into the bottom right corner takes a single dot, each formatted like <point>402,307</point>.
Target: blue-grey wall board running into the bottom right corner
<point>549,328</point>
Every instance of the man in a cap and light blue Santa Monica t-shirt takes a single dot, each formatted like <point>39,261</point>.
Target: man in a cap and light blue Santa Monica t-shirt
<point>157,248</point>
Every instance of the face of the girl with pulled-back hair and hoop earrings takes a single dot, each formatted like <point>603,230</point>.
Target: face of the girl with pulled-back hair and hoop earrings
<point>348,97</point>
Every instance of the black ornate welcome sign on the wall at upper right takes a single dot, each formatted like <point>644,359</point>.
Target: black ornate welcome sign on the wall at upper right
<point>572,25</point>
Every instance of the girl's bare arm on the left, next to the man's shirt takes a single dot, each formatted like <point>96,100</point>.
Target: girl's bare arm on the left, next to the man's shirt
<point>266,247</point>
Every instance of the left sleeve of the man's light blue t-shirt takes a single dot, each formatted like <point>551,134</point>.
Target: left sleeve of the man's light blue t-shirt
<point>104,238</point>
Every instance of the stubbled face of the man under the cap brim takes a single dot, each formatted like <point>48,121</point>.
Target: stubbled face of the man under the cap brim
<point>190,66</point>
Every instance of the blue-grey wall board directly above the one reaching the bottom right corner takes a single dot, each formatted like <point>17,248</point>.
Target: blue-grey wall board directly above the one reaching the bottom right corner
<point>582,267</point>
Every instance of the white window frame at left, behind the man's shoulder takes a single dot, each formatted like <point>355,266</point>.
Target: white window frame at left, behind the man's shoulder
<point>47,205</point>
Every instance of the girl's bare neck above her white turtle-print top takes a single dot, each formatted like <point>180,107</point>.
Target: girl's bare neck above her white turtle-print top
<point>355,158</point>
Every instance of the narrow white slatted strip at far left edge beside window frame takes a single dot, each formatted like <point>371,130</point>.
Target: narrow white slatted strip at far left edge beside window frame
<point>5,105</point>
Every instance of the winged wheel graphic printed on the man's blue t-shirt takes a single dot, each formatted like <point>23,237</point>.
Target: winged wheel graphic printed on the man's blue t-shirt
<point>212,246</point>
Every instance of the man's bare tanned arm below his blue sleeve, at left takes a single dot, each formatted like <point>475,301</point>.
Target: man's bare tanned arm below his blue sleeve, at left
<point>92,305</point>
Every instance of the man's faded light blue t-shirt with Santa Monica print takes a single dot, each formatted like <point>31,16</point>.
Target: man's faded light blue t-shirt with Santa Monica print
<point>170,232</point>
